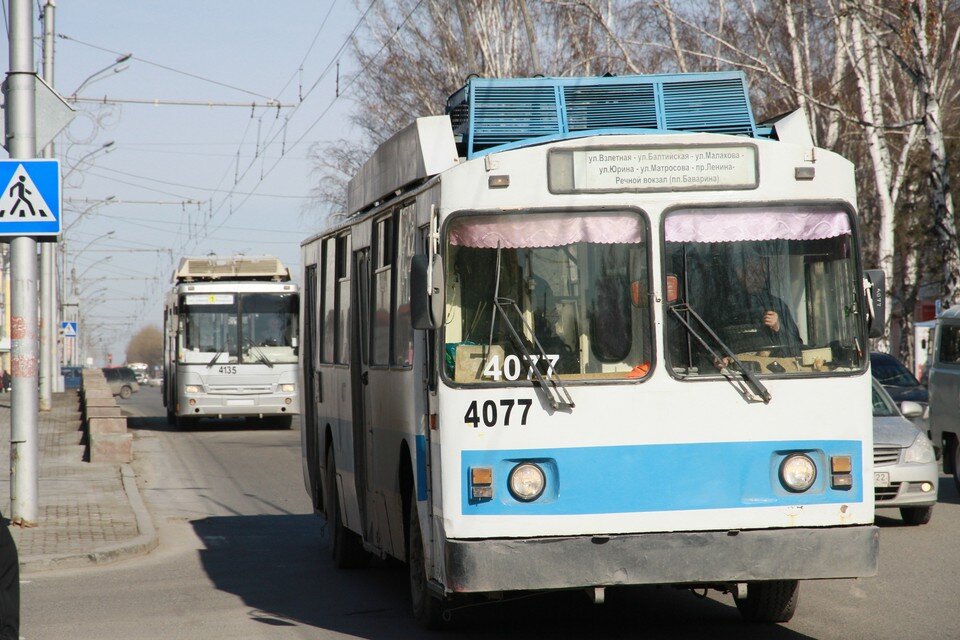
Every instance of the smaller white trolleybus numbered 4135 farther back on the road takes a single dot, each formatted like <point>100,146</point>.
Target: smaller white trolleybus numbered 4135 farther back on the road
<point>230,341</point>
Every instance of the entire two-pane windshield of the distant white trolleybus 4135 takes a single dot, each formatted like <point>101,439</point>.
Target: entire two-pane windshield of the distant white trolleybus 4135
<point>239,328</point>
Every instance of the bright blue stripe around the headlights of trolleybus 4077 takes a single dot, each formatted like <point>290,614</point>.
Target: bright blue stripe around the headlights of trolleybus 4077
<point>662,477</point>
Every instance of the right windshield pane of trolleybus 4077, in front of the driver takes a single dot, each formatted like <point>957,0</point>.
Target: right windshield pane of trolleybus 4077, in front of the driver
<point>777,286</point>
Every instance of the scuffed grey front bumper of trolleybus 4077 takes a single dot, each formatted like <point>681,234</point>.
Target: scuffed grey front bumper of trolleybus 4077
<point>703,557</point>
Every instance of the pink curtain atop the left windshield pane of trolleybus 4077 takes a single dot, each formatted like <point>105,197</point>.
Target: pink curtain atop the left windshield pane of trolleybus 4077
<point>545,230</point>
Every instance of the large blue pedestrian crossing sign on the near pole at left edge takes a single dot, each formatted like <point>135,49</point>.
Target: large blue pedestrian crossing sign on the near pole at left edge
<point>30,201</point>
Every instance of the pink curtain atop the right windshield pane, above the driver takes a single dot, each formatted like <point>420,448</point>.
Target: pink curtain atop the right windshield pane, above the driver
<point>690,226</point>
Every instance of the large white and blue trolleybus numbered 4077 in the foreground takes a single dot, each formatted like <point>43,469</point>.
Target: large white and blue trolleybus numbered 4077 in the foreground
<point>580,333</point>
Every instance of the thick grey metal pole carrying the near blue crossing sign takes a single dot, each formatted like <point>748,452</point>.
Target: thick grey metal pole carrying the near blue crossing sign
<point>22,144</point>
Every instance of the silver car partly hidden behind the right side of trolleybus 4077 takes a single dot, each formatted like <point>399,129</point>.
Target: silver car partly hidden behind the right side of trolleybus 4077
<point>905,469</point>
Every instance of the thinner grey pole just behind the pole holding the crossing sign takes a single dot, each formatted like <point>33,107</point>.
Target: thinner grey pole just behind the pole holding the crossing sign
<point>49,371</point>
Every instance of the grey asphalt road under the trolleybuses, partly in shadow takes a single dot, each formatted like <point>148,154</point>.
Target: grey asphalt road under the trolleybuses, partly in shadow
<point>242,556</point>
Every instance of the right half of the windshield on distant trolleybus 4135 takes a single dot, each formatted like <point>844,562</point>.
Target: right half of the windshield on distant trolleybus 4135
<point>268,327</point>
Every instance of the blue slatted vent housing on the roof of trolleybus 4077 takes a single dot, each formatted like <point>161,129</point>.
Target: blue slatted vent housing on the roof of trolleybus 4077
<point>497,114</point>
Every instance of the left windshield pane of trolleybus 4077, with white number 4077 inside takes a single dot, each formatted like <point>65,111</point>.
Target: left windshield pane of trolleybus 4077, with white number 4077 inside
<point>574,283</point>
